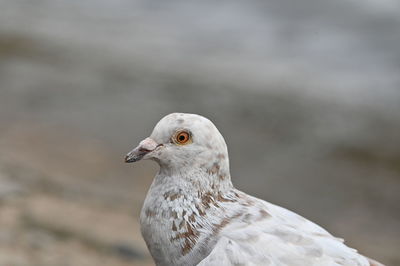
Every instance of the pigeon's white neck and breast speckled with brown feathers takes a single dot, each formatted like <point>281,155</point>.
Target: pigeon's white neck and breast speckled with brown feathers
<point>187,206</point>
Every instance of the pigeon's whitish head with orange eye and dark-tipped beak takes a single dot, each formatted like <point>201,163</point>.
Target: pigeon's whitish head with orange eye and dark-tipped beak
<point>182,140</point>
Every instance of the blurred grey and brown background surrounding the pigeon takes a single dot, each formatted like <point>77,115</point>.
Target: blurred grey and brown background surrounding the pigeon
<point>306,93</point>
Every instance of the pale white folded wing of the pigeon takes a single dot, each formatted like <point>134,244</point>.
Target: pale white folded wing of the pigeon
<point>283,238</point>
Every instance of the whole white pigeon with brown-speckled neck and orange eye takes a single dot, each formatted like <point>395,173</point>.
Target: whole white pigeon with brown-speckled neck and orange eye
<point>192,214</point>
